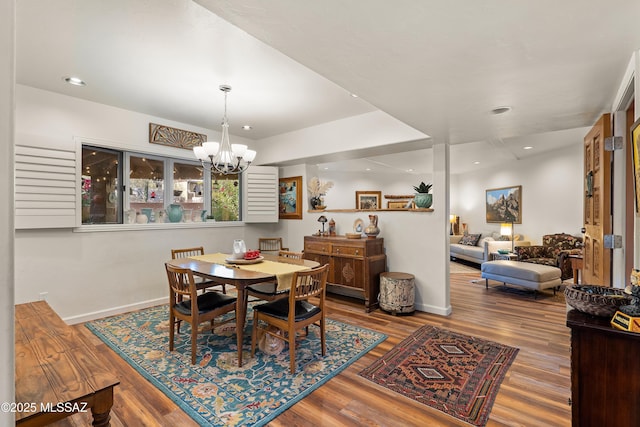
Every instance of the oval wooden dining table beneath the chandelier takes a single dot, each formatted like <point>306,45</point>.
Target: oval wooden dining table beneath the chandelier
<point>238,277</point>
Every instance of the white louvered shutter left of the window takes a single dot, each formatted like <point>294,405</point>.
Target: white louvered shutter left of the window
<point>45,183</point>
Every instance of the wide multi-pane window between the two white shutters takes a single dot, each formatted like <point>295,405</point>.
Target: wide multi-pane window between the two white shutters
<point>111,197</point>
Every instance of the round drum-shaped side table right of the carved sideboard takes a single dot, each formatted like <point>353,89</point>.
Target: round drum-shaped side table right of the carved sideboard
<point>397,292</point>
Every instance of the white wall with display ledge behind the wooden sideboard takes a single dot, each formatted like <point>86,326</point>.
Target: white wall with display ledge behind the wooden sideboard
<point>415,242</point>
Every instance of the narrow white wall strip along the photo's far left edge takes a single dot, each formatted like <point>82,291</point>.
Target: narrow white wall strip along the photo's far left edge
<point>7,80</point>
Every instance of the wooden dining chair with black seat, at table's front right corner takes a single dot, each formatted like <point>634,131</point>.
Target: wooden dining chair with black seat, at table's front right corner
<point>294,313</point>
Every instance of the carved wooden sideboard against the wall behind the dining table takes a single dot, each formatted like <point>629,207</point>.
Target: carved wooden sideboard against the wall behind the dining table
<point>354,265</point>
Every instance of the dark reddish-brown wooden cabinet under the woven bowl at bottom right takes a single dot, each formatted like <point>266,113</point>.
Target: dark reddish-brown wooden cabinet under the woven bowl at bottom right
<point>605,374</point>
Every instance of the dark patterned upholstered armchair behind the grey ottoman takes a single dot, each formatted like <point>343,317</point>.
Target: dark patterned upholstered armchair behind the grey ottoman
<point>554,251</point>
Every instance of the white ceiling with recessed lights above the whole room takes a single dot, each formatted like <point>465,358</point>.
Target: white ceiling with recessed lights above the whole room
<point>439,66</point>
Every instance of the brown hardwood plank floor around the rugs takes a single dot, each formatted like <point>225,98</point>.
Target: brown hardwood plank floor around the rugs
<point>535,391</point>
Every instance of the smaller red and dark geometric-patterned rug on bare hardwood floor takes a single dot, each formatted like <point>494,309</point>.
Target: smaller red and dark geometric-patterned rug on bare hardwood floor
<point>454,373</point>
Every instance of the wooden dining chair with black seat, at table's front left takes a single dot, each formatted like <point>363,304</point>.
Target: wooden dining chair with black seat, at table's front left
<point>185,304</point>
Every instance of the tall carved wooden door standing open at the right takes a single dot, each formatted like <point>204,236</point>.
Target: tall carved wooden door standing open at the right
<point>597,204</point>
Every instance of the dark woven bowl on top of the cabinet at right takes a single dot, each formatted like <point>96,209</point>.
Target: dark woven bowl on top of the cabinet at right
<point>599,301</point>
